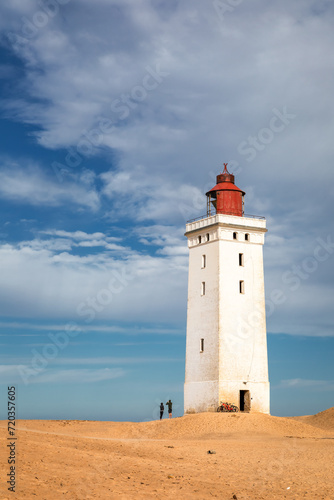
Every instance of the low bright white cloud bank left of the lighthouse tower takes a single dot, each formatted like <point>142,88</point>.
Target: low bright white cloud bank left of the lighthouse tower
<point>43,280</point>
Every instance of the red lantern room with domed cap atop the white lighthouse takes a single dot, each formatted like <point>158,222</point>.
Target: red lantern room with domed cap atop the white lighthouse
<point>226,197</point>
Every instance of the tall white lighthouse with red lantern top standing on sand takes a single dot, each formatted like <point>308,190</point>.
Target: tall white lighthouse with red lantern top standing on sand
<point>226,347</point>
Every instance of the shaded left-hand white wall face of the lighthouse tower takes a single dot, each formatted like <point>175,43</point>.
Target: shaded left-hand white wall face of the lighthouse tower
<point>202,368</point>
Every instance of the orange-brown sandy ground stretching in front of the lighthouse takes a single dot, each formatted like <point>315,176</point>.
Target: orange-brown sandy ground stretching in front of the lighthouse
<point>256,457</point>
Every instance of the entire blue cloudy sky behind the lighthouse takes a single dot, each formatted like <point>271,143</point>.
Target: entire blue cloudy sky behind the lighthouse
<point>115,118</point>
